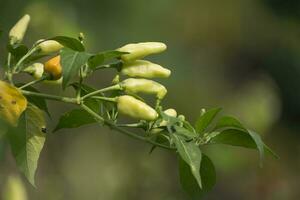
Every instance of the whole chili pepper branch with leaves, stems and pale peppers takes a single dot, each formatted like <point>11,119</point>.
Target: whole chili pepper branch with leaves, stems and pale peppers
<point>23,107</point>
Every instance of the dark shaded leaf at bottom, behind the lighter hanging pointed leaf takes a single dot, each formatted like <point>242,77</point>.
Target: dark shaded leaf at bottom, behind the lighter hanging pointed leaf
<point>188,182</point>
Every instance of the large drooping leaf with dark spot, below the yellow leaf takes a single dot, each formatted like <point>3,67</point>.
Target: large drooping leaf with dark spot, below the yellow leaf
<point>27,141</point>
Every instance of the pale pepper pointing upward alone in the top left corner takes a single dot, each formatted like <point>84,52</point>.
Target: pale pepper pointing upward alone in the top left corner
<point>18,31</point>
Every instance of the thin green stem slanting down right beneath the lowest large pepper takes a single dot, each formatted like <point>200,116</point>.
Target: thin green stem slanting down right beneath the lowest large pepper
<point>128,133</point>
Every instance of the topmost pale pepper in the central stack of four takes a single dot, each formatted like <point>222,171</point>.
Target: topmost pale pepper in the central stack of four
<point>140,50</point>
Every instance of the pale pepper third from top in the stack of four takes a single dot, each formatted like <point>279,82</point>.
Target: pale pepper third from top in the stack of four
<point>134,85</point>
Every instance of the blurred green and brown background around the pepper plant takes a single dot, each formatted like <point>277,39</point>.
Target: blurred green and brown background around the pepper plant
<point>243,56</point>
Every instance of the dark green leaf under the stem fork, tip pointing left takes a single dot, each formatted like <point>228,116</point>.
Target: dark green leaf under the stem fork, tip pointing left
<point>73,119</point>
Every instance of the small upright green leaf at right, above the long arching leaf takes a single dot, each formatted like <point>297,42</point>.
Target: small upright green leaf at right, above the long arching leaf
<point>205,119</point>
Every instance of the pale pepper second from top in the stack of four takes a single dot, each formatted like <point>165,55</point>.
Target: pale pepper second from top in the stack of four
<point>145,69</point>
